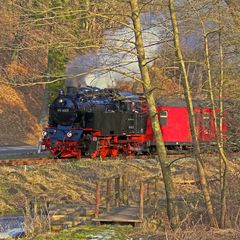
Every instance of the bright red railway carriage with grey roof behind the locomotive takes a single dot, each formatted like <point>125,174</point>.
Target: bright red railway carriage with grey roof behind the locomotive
<point>174,122</point>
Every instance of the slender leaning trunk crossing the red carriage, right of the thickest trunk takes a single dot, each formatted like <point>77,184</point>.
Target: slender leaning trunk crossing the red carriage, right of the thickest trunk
<point>188,97</point>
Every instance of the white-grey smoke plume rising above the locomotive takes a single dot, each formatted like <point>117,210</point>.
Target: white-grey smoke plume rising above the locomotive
<point>97,65</point>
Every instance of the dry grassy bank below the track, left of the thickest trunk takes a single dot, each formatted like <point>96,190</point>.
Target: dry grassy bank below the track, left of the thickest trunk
<point>66,182</point>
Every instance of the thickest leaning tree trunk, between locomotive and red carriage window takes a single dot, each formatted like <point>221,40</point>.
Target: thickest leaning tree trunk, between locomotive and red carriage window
<point>172,209</point>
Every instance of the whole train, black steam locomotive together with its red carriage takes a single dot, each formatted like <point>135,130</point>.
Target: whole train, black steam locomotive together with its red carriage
<point>106,122</point>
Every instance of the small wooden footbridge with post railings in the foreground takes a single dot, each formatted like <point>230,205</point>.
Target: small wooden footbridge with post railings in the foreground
<point>117,206</point>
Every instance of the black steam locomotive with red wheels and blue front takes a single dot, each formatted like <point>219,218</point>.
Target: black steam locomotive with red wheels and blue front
<point>95,122</point>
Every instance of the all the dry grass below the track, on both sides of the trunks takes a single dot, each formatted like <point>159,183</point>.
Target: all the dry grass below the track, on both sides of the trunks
<point>75,183</point>
